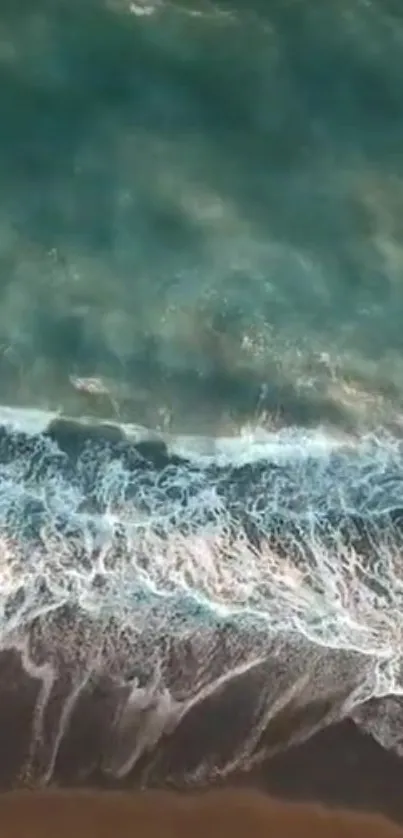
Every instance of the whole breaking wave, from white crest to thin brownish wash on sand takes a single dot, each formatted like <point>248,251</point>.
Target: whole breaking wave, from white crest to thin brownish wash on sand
<point>258,579</point>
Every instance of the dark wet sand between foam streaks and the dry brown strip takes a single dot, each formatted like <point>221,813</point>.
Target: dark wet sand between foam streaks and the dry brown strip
<point>340,766</point>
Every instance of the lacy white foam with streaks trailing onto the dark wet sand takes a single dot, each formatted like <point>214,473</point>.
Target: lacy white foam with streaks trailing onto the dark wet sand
<point>285,535</point>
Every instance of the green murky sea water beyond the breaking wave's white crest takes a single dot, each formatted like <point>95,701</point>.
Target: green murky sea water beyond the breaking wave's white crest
<point>201,205</point>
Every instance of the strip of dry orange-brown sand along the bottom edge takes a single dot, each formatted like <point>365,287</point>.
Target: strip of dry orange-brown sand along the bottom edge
<point>239,814</point>
